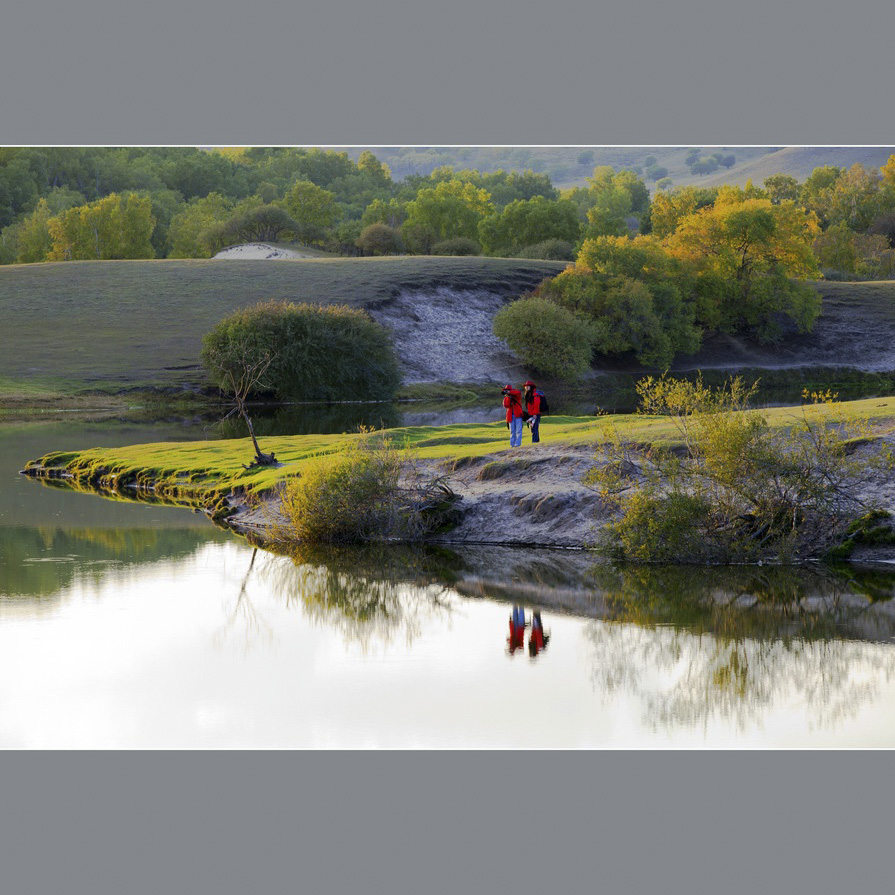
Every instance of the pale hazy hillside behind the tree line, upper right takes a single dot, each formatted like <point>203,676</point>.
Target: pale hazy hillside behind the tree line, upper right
<point>569,166</point>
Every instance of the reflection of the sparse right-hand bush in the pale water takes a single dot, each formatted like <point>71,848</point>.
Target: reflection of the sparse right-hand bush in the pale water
<point>734,644</point>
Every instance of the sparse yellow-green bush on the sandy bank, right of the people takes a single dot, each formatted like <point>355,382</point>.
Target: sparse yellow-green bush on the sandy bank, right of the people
<point>737,490</point>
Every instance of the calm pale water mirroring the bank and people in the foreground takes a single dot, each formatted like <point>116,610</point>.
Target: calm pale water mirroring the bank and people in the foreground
<point>136,626</point>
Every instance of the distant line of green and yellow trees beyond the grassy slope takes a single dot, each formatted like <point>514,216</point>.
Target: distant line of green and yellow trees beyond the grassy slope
<point>107,202</point>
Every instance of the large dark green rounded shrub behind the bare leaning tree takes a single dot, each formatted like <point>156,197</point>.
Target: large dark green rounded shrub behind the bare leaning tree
<point>317,353</point>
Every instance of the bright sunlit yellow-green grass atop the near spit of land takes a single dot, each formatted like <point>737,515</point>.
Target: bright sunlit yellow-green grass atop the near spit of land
<point>201,472</point>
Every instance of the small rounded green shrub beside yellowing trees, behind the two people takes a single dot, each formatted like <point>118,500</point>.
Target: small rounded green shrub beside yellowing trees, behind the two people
<point>546,336</point>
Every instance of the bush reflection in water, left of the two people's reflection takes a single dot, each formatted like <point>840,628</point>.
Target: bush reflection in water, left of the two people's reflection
<point>369,592</point>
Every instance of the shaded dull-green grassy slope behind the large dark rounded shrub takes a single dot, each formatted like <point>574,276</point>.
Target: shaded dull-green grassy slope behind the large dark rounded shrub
<point>118,324</point>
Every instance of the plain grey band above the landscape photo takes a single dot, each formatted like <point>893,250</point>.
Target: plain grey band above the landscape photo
<point>703,72</point>
